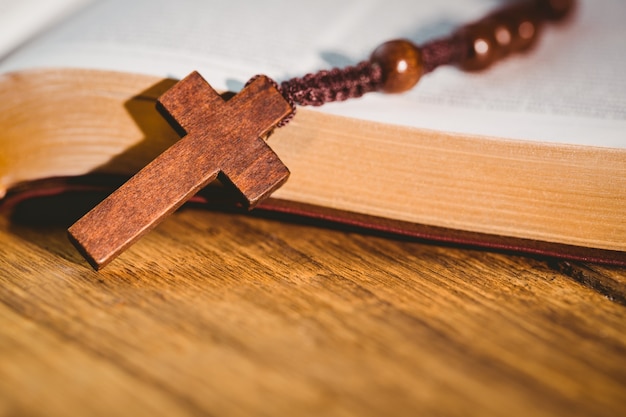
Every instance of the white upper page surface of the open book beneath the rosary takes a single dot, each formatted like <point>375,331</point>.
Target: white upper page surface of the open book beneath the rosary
<point>568,89</point>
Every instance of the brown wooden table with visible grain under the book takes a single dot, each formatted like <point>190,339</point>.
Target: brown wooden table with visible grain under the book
<point>231,315</point>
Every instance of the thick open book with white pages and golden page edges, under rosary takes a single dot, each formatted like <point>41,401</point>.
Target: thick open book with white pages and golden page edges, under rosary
<point>529,155</point>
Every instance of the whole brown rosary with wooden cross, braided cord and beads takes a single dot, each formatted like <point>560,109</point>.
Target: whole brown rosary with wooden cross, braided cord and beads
<point>225,137</point>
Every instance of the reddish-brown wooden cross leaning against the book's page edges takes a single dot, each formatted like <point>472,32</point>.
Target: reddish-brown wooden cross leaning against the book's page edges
<point>222,137</point>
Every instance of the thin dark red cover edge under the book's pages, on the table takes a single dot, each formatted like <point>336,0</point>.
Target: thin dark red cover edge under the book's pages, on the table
<point>48,200</point>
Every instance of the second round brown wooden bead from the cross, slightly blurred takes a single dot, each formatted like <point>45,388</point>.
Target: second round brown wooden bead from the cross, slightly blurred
<point>482,46</point>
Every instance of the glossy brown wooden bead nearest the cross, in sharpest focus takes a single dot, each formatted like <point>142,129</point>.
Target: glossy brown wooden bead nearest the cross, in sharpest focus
<point>401,64</point>
